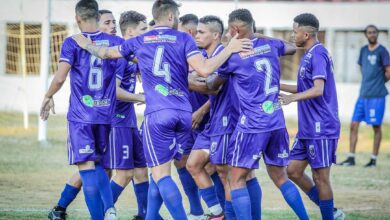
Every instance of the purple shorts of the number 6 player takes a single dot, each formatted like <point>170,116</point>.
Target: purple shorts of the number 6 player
<point>87,142</point>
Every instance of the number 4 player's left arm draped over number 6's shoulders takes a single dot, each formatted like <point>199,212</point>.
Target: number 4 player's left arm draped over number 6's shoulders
<point>100,51</point>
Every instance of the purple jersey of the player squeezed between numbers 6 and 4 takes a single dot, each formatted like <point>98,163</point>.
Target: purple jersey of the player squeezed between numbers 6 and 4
<point>124,111</point>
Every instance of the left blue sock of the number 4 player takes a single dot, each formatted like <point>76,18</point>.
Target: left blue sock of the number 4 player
<point>154,201</point>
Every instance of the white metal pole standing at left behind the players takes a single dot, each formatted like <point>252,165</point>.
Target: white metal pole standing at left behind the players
<point>45,61</point>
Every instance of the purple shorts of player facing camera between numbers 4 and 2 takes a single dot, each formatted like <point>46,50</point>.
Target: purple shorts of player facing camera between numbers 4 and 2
<point>215,146</point>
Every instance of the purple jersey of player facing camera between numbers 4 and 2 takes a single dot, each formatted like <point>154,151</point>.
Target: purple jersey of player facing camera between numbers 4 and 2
<point>223,106</point>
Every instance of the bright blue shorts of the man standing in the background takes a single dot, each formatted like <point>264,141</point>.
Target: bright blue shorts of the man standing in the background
<point>370,110</point>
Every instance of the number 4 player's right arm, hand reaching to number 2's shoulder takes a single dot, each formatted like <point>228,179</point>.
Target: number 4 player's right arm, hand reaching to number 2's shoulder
<point>205,67</point>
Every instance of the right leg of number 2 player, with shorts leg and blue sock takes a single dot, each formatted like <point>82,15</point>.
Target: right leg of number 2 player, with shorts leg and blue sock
<point>276,159</point>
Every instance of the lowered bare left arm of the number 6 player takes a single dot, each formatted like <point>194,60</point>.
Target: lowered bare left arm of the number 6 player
<point>55,85</point>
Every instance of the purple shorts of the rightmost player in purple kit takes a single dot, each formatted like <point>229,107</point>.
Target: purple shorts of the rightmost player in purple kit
<point>319,153</point>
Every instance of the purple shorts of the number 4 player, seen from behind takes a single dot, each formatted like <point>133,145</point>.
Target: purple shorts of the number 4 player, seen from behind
<point>165,132</point>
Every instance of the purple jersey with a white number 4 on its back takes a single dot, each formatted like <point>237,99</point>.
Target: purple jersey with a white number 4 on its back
<point>162,59</point>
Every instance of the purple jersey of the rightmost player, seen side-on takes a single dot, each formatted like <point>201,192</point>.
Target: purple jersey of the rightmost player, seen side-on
<point>317,117</point>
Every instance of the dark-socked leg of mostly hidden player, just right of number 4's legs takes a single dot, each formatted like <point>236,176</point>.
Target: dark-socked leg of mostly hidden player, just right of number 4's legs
<point>189,185</point>
